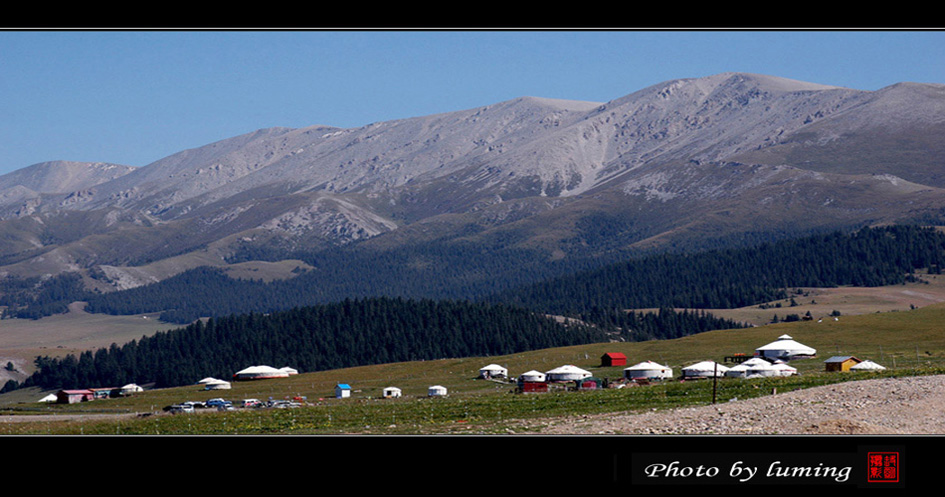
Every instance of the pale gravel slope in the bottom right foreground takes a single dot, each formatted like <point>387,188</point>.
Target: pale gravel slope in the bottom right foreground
<point>912,405</point>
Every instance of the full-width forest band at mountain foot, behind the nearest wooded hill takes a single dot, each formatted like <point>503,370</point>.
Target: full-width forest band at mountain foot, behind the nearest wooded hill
<point>722,278</point>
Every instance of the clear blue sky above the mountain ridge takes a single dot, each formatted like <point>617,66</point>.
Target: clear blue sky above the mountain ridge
<point>133,97</point>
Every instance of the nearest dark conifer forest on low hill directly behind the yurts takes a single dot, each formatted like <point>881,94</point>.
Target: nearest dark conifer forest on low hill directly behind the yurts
<point>331,336</point>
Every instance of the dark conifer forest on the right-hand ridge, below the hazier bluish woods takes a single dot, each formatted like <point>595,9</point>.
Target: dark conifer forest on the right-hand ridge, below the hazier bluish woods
<point>741,277</point>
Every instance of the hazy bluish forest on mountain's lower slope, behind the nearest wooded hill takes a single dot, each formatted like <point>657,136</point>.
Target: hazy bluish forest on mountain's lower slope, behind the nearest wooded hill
<point>433,271</point>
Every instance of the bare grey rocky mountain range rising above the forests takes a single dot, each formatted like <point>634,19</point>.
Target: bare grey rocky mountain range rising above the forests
<point>691,163</point>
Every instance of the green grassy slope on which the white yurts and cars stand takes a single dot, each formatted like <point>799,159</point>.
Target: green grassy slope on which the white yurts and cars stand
<point>907,342</point>
